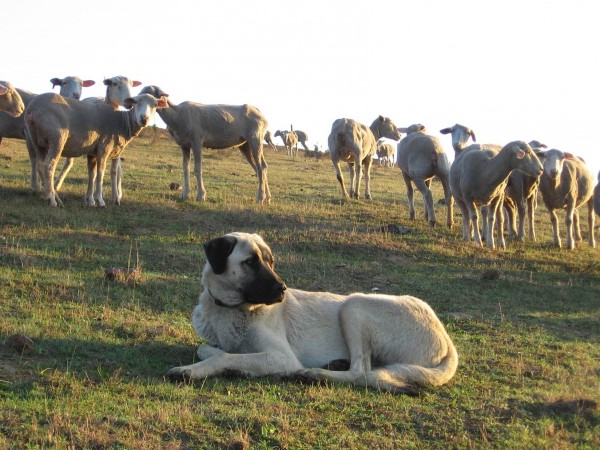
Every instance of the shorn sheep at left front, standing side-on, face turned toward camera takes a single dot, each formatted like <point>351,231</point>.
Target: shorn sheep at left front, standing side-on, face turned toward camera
<point>58,126</point>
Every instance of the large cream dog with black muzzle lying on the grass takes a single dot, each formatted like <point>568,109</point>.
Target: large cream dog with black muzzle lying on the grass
<point>255,326</point>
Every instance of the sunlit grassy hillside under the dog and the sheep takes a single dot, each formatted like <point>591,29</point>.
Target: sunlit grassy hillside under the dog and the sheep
<point>529,342</point>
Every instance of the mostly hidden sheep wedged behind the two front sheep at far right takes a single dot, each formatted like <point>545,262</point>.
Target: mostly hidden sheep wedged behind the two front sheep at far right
<point>520,200</point>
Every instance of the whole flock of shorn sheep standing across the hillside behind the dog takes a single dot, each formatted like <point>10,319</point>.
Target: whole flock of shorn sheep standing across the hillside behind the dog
<point>487,178</point>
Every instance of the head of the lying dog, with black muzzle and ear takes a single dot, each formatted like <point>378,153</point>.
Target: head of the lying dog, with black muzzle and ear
<point>240,269</point>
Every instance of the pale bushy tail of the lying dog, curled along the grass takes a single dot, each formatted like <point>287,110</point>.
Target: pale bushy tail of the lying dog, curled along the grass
<point>406,377</point>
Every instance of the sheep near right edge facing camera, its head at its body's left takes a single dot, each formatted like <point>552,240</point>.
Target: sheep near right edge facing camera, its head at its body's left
<point>567,183</point>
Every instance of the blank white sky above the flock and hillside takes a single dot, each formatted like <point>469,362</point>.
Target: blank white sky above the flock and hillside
<point>526,69</point>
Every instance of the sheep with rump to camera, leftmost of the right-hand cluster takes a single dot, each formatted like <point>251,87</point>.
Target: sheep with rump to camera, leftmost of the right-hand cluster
<point>421,157</point>
